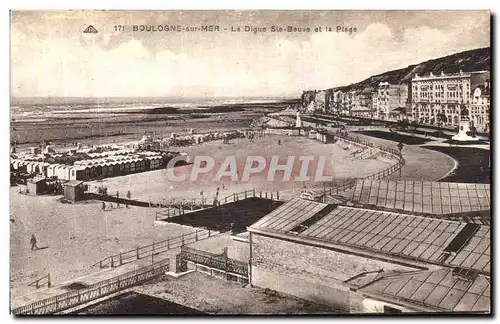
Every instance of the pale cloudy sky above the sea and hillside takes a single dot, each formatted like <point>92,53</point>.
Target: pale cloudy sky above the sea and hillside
<point>51,56</point>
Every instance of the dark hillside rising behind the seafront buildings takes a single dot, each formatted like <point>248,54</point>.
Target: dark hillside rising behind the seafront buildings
<point>468,61</point>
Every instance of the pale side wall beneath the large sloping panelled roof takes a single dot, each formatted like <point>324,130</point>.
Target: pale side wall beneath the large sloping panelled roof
<point>308,272</point>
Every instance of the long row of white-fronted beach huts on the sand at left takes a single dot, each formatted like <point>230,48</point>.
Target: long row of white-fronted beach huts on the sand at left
<point>93,169</point>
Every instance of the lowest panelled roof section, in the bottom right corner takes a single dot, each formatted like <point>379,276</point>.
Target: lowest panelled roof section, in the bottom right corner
<point>440,290</point>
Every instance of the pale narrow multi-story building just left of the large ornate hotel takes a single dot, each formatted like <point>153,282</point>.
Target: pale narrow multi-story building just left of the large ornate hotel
<point>390,97</point>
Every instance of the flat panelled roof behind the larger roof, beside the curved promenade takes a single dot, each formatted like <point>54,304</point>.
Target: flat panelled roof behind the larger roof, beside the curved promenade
<point>423,197</point>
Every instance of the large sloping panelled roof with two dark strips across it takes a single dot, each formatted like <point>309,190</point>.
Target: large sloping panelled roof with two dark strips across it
<point>436,241</point>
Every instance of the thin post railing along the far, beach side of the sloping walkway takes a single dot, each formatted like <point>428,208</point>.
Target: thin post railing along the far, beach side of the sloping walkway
<point>154,249</point>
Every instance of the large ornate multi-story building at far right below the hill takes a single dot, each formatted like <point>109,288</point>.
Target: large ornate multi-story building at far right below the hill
<point>439,99</point>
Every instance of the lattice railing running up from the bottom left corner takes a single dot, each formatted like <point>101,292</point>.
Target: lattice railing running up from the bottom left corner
<point>103,288</point>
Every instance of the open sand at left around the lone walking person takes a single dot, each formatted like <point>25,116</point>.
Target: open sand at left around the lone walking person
<point>72,237</point>
